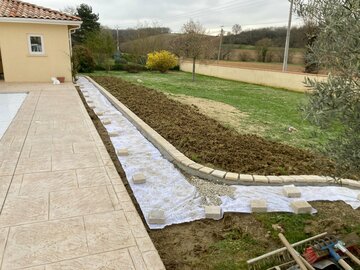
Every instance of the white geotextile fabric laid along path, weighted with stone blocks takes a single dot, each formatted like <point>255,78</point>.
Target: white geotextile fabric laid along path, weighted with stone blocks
<point>166,188</point>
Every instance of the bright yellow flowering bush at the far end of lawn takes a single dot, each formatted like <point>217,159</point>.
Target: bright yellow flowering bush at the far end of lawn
<point>161,61</point>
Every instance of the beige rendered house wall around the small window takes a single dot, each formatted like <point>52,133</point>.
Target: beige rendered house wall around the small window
<point>20,66</point>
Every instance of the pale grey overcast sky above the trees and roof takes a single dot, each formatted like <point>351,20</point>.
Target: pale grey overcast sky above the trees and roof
<point>211,13</point>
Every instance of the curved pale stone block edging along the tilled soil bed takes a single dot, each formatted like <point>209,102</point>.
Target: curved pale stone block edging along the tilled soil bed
<point>196,169</point>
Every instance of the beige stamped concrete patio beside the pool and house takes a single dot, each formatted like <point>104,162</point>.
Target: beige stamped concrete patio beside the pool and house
<point>63,205</point>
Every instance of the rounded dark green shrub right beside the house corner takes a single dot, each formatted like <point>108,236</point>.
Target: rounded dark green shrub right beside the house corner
<point>82,59</point>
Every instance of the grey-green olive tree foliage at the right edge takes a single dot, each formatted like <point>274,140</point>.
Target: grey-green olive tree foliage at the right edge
<point>336,102</point>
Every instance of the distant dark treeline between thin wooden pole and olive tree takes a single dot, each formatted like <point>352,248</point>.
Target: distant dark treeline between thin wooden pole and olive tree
<point>298,37</point>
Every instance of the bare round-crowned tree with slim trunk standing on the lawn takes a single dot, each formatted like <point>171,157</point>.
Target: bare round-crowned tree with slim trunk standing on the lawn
<point>192,43</point>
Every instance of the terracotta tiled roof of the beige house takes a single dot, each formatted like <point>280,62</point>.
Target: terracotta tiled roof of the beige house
<point>14,9</point>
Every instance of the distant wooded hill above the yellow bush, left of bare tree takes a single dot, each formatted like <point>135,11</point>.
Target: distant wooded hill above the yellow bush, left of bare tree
<point>133,34</point>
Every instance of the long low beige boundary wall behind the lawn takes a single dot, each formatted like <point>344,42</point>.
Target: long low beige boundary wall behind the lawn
<point>286,80</point>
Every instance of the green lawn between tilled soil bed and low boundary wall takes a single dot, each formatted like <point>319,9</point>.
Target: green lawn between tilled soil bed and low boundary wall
<point>271,111</point>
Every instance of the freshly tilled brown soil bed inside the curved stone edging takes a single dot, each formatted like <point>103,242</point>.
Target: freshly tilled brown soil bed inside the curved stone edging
<point>206,141</point>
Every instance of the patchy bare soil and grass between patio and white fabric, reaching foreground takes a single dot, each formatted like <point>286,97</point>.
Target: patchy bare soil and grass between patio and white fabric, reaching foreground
<point>209,244</point>
